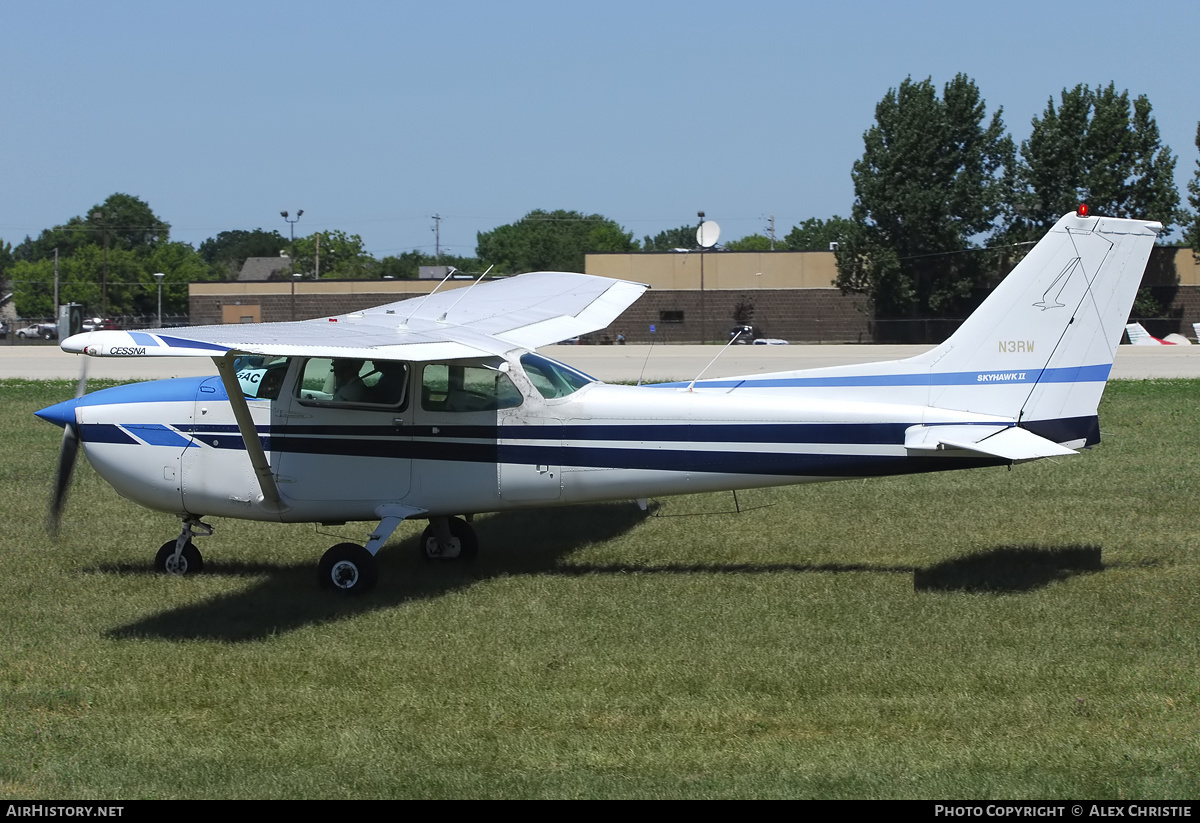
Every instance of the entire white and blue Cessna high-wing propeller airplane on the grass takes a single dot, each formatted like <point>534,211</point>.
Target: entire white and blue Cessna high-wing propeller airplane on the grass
<point>439,407</point>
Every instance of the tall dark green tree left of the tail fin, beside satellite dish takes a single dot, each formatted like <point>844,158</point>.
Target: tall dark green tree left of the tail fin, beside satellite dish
<point>933,179</point>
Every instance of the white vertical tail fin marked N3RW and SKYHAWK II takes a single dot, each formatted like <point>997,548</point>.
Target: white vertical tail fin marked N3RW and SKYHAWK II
<point>1041,349</point>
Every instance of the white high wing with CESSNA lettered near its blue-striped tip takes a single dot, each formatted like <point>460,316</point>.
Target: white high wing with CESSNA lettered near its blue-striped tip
<point>483,320</point>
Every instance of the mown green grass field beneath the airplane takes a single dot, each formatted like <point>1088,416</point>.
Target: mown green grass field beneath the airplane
<point>989,634</point>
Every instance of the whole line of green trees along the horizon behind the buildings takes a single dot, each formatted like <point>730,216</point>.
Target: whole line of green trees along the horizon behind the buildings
<point>945,202</point>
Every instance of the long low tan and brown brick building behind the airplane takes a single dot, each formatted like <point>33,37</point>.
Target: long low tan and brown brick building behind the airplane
<point>693,297</point>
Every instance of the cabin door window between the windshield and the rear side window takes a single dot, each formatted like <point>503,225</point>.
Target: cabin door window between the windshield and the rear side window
<point>353,382</point>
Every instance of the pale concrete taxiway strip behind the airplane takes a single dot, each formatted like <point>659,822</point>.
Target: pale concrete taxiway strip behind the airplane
<point>607,363</point>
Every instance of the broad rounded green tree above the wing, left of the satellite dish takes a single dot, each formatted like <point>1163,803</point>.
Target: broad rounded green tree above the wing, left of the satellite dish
<point>550,242</point>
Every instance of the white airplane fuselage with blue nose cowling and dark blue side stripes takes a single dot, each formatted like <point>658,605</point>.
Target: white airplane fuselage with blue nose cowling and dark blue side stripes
<point>175,446</point>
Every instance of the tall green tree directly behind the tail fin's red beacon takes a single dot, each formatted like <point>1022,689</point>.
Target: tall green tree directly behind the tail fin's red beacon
<point>1094,148</point>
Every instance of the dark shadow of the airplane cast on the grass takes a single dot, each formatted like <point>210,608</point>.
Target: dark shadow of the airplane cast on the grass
<point>531,543</point>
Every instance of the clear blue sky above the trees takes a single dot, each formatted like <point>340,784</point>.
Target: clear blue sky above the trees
<point>374,117</point>
